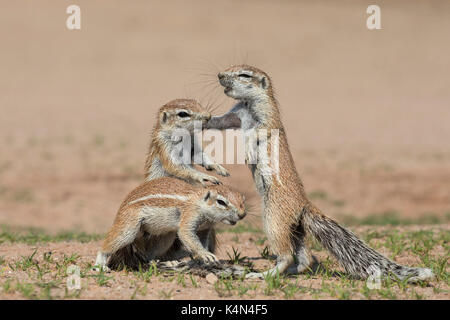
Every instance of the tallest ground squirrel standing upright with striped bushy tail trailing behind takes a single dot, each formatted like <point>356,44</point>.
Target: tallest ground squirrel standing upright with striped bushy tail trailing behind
<point>288,215</point>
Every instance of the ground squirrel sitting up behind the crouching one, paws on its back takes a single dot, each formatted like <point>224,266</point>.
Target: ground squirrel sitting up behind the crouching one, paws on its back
<point>164,158</point>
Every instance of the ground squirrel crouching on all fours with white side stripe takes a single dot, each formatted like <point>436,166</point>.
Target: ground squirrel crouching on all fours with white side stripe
<point>155,213</point>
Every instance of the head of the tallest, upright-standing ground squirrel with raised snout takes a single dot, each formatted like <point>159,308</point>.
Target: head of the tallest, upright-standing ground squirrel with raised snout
<point>244,82</point>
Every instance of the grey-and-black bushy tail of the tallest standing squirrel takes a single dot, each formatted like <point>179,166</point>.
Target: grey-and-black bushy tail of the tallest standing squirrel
<point>352,253</point>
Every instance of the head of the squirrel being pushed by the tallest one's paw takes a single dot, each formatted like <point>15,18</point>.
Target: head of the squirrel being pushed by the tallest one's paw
<point>183,114</point>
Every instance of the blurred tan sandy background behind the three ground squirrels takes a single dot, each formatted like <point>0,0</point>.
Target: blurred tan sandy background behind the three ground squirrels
<point>366,112</point>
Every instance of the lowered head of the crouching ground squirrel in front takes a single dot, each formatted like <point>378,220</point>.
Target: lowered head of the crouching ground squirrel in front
<point>222,204</point>
